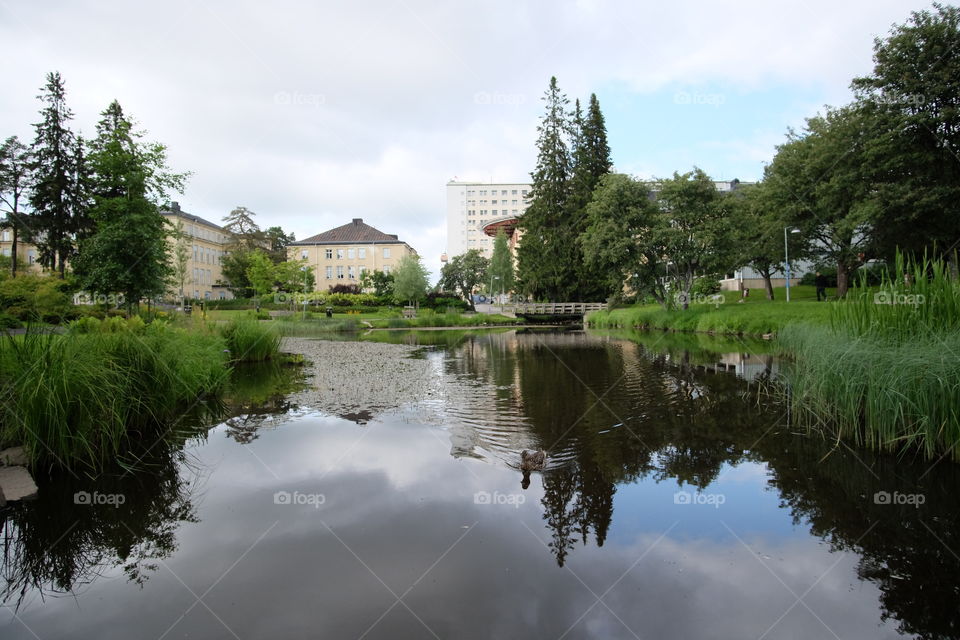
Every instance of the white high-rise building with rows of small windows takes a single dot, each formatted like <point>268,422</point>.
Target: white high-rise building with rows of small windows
<point>470,205</point>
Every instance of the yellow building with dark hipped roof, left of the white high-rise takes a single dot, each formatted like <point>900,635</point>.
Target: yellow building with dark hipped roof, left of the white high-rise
<point>341,255</point>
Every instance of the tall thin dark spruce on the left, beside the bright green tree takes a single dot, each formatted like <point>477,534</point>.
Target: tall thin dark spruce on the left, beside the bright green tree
<point>54,158</point>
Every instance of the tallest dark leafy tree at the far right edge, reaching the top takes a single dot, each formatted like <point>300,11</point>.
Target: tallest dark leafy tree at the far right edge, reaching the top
<point>912,91</point>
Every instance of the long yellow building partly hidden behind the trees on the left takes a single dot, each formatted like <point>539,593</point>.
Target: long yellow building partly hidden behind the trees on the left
<point>205,245</point>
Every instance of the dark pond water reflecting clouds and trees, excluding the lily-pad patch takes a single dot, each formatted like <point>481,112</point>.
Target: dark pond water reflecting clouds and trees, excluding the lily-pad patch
<point>676,503</point>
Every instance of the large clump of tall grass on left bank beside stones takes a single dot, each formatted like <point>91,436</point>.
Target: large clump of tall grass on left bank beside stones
<point>80,399</point>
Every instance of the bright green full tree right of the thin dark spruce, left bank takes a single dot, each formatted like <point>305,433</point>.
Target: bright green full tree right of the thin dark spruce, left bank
<point>127,254</point>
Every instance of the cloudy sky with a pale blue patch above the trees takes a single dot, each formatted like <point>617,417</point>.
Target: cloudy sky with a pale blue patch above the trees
<point>314,113</point>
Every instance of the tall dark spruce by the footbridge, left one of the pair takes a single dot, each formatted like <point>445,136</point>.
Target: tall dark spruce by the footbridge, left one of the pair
<point>546,254</point>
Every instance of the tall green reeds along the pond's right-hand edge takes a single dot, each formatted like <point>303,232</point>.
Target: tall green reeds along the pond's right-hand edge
<point>885,372</point>
